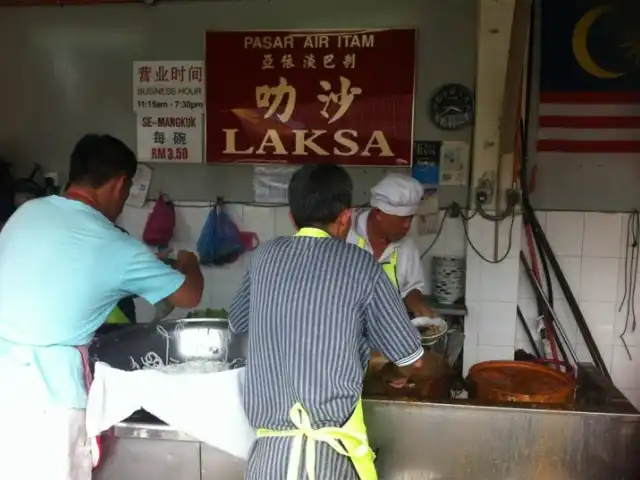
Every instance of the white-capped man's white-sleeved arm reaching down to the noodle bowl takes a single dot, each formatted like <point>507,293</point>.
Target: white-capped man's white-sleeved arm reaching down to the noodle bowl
<point>411,279</point>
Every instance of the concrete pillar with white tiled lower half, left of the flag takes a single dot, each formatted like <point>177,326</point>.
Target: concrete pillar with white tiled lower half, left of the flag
<point>492,288</point>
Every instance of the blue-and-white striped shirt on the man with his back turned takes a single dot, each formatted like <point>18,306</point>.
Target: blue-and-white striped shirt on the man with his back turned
<point>313,309</point>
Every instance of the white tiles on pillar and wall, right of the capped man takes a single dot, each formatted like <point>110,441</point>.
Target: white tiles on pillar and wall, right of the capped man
<point>590,248</point>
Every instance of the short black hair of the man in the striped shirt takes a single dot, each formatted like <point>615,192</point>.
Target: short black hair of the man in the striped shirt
<point>318,194</point>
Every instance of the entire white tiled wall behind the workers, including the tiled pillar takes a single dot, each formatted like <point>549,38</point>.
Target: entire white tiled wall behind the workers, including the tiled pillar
<point>590,248</point>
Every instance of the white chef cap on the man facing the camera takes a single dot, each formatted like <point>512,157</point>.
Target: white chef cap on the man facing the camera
<point>397,195</point>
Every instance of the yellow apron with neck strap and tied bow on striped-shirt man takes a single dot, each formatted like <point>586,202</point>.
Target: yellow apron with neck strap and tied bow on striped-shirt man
<point>349,440</point>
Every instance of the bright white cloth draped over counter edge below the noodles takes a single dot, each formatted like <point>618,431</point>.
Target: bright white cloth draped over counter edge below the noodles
<point>206,406</point>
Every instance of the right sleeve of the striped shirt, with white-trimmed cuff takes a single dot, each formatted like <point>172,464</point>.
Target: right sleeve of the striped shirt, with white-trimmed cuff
<point>388,326</point>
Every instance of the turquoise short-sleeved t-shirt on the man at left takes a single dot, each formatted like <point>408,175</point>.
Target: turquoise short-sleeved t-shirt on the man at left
<point>63,268</point>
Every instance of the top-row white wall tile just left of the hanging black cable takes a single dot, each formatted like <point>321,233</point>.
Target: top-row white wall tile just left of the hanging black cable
<point>602,235</point>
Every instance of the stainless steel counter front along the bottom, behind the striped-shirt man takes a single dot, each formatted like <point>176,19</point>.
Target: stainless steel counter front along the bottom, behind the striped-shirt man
<point>423,441</point>
